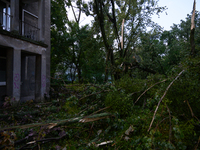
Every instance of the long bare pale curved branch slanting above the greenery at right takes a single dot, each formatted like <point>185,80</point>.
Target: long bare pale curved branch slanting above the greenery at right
<point>162,98</point>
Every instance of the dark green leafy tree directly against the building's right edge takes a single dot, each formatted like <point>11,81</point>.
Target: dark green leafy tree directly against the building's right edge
<point>58,34</point>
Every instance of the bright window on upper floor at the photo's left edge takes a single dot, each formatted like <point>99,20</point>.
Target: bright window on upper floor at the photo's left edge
<point>5,15</point>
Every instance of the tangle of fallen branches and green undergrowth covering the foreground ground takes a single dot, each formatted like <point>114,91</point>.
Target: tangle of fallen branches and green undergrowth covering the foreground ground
<point>83,116</point>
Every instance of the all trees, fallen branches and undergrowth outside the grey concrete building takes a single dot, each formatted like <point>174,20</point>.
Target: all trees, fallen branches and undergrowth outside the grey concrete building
<point>141,93</point>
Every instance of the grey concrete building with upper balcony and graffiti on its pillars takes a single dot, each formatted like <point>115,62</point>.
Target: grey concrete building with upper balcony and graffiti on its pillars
<point>24,49</point>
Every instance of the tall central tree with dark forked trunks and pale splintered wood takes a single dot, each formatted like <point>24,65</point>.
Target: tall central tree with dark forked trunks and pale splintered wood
<point>136,17</point>
